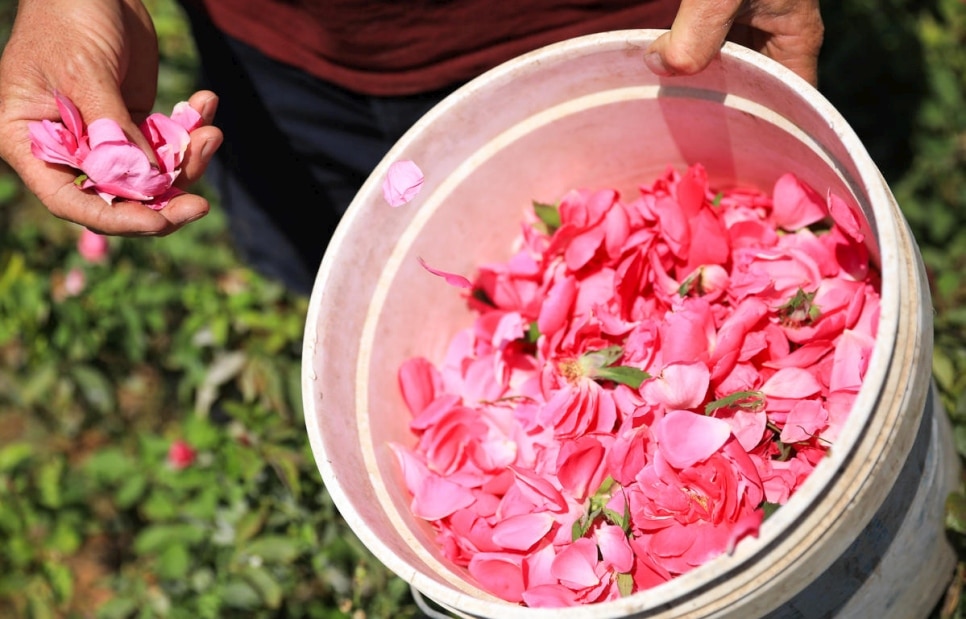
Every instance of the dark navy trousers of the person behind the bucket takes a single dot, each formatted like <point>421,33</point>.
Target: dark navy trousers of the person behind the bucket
<point>296,151</point>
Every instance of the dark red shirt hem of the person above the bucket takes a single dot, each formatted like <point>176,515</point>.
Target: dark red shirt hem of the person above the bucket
<point>398,47</point>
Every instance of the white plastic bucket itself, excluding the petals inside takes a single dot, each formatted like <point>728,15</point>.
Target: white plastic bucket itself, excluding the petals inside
<point>864,532</point>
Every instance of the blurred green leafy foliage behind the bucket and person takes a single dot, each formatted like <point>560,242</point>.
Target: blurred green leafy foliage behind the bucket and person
<point>175,339</point>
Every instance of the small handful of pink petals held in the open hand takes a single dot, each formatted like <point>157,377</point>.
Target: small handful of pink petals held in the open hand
<point>110,163</point>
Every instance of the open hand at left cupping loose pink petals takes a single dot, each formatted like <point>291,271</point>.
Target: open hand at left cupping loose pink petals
<point>103,56</point>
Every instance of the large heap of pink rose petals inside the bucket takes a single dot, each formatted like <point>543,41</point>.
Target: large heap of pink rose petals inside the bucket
<point>645,380</point>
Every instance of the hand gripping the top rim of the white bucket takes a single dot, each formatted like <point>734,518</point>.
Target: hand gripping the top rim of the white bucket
<point>788,31</point>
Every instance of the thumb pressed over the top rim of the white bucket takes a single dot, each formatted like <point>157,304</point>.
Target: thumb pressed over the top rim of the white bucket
<point>696,36</point>
